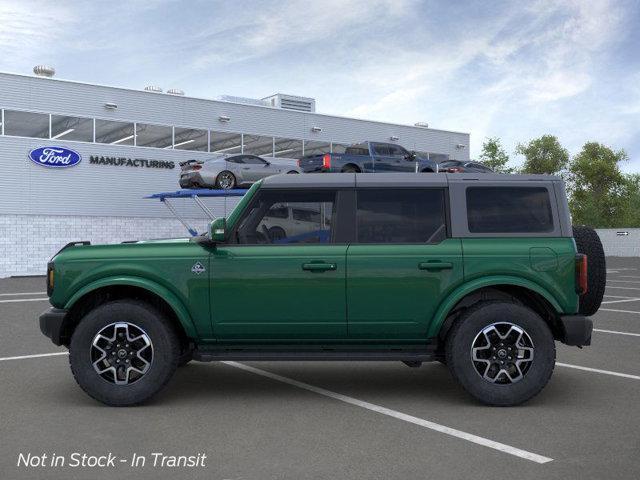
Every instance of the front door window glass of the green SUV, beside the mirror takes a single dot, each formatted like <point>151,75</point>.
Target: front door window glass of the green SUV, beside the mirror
<point>267,220</point>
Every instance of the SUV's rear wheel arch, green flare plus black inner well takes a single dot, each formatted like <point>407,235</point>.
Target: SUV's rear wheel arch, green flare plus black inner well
<point>508,288</point>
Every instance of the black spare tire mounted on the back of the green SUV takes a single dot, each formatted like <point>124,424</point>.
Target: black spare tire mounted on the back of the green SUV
<point>588,243</point>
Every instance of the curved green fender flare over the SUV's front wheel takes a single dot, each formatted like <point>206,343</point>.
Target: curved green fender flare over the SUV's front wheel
<point>176,305</point>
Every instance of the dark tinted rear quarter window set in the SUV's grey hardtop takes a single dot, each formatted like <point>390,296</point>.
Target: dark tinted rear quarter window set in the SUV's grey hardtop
<point>509,210</point>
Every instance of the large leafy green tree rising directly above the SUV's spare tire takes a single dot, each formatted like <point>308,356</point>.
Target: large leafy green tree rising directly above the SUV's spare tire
<point>599,191</point>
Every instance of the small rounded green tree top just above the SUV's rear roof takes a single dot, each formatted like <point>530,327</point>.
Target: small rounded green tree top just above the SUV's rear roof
<point>544,155</point>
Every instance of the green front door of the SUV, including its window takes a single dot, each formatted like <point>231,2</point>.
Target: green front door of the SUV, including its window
<point>275,287</point>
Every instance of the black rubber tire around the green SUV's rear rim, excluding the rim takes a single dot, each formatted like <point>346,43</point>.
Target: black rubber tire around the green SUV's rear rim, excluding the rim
<point>459,360</point>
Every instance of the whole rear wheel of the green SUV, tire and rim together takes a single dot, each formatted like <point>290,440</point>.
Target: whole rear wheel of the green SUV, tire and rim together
<point>502,353</point>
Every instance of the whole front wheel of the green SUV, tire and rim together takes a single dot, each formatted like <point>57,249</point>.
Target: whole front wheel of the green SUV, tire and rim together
<point>123,352</point>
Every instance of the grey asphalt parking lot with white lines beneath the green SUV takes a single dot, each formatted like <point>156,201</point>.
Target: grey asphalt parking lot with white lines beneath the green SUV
<point>338,420</point>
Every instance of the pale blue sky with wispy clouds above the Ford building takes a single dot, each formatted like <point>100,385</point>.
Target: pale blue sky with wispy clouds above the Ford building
<point>507,69</point>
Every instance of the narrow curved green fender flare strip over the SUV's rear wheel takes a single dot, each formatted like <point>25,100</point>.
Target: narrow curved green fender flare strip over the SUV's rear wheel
<point>469,287</point>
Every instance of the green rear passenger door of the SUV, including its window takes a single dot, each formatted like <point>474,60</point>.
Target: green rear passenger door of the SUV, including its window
<point>401,264</point>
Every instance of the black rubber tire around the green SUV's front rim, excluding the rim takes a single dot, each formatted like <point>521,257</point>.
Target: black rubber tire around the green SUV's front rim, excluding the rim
<point>166,352</point>
